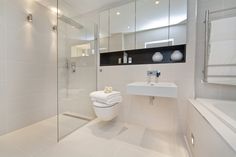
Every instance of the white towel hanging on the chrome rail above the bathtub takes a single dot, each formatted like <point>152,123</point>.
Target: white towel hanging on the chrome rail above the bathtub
<point>222,50</point>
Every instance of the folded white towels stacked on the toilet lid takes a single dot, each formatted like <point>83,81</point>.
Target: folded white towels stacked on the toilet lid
<point>107,98</point>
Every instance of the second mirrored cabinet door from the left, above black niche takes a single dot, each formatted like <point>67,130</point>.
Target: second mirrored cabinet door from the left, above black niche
<point>122,27</point>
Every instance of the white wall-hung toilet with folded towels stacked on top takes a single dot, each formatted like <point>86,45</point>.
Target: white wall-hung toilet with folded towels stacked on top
<point>106,105</point>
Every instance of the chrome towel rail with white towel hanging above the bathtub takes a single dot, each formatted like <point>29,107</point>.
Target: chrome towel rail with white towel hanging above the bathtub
<point>220,61</point>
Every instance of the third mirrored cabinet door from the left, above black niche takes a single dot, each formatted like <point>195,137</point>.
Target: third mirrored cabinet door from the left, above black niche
<point>152,21</point>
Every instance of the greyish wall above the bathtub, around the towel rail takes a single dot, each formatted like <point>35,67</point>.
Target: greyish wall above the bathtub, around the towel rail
<point>203,89</point>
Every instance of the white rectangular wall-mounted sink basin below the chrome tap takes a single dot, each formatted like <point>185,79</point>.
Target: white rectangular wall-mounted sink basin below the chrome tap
<point>161,89</point>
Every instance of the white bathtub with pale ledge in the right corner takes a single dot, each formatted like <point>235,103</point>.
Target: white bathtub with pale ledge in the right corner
<point>221,115</point>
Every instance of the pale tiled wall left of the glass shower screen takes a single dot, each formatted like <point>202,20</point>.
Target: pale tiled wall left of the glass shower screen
<point>27,64</point>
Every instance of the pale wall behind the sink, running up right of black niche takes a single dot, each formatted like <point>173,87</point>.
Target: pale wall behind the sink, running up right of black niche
<point>167,114</point>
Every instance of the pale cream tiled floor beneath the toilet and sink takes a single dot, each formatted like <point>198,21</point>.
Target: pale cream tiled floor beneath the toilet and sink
<point>96,139</point>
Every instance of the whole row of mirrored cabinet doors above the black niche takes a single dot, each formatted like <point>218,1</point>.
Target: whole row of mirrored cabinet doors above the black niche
<point>142,24</point>
